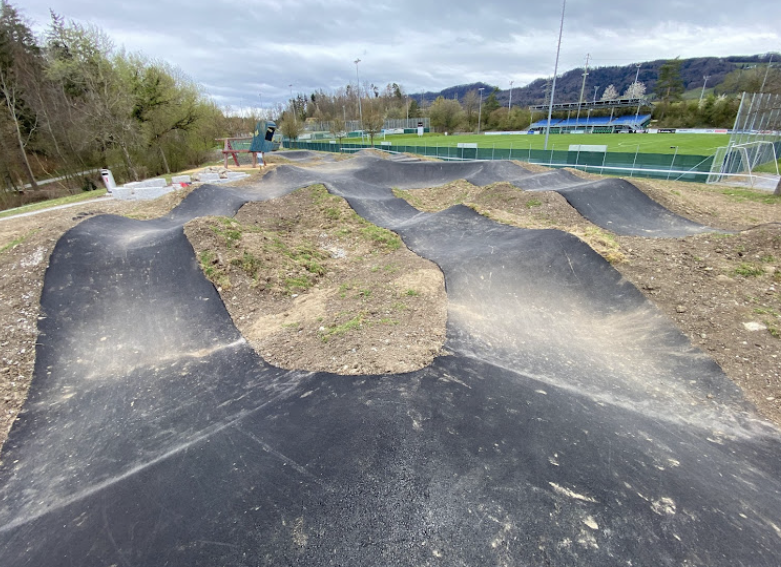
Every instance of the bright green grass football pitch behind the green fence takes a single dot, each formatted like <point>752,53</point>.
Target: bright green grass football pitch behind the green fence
<point>688,144</point>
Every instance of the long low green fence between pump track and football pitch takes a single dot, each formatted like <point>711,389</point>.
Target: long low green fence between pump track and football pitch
<point>659,166</point>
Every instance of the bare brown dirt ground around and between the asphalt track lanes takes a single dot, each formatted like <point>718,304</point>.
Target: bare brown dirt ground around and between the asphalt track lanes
<point>313,286</point>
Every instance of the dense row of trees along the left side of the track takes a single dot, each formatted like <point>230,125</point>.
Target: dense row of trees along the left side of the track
<point>71,102</point>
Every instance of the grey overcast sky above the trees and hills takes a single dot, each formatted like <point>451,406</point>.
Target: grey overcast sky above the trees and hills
<point>249,51</point>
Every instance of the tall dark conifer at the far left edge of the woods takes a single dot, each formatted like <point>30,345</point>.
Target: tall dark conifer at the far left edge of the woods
<point>20,65</point>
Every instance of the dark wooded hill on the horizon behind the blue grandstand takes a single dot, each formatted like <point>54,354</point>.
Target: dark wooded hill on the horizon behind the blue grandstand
<point>568,85</point>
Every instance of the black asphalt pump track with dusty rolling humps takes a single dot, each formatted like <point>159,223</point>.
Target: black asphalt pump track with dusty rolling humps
<point>571,423</point>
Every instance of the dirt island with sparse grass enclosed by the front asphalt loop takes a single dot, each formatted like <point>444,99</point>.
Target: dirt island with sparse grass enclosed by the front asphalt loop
<point>313,286</point>
